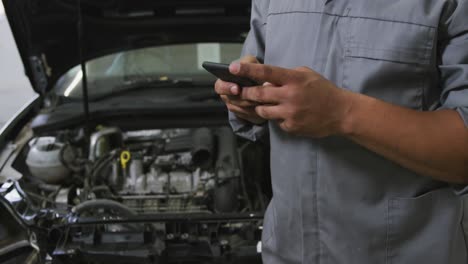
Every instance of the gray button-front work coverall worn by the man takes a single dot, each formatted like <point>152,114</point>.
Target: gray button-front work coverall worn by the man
<point>333,200</point>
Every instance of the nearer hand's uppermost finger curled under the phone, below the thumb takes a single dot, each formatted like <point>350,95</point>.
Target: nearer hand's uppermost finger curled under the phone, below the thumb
<point>263,94</point>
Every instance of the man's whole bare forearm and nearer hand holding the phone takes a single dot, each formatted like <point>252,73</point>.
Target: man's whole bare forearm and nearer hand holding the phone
<point>305,103</point>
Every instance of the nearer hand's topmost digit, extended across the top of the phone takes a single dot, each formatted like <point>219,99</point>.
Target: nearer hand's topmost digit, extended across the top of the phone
<point>263,73</point>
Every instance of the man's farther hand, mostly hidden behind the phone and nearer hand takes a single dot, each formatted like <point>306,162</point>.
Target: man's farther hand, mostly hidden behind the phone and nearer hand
<point>230,92</point>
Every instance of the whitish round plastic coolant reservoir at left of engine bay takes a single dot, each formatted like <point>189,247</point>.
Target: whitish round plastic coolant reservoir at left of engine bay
<point>44,161</point>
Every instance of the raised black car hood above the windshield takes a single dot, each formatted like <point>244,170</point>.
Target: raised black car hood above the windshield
<point>47,31</point>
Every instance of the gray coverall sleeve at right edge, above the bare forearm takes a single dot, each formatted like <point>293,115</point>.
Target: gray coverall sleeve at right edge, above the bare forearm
<point>453,59</point>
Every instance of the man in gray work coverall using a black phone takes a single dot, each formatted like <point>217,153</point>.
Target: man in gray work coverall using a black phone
<point>366,107</point>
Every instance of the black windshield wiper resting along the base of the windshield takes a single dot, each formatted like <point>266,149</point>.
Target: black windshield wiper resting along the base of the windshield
<point>135,84</point>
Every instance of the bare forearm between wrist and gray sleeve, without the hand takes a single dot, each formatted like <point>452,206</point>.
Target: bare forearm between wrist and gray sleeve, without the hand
<point>430,143</point>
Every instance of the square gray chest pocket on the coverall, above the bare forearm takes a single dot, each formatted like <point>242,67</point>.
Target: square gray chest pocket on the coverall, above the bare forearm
<point>388,60</point>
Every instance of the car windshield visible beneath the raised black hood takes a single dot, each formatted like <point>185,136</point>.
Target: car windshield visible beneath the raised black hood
<point>164,65</point>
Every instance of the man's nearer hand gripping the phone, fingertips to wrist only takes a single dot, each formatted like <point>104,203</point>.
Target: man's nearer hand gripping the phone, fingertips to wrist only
<point>301,100</point>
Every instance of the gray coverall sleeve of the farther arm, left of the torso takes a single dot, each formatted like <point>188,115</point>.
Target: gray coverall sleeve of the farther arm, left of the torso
<point>254,45</point>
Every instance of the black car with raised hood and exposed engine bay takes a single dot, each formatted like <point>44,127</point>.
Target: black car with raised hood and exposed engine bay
<point>126,154</point>
